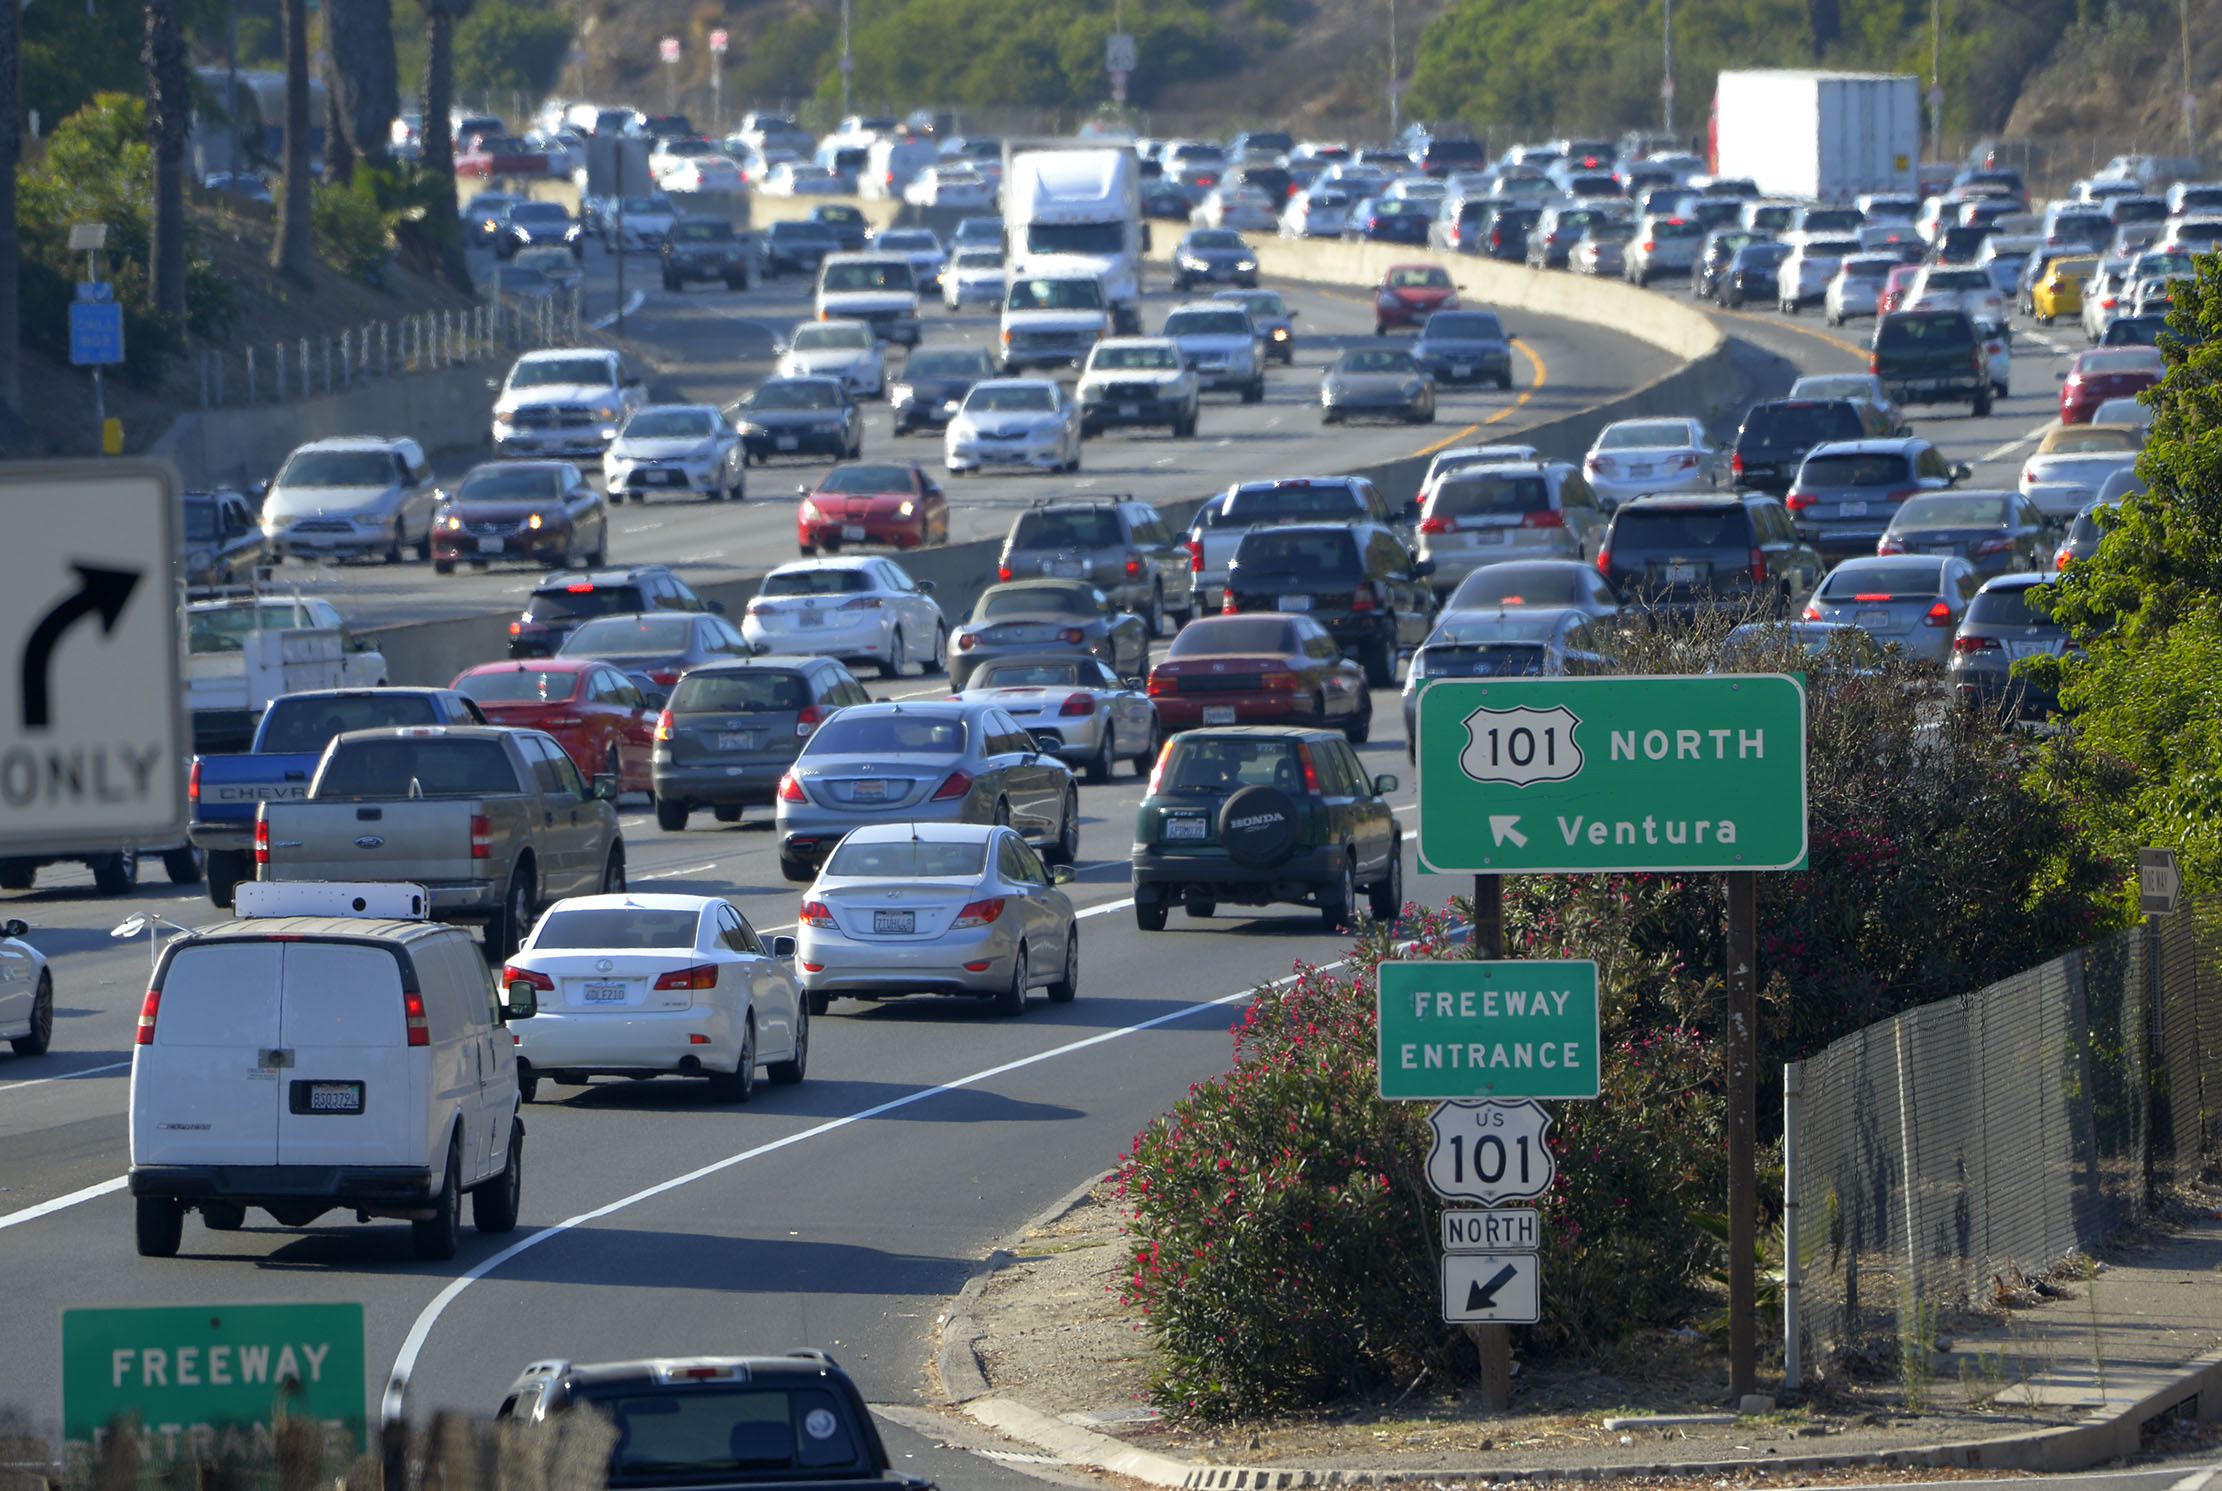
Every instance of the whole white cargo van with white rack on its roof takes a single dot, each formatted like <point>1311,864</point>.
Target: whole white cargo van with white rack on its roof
<point>328,1050</point>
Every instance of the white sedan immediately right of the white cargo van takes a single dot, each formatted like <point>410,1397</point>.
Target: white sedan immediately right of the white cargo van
<point>657,985</point>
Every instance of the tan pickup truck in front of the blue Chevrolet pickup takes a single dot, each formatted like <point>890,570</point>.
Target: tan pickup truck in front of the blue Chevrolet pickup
<point>497,823</point>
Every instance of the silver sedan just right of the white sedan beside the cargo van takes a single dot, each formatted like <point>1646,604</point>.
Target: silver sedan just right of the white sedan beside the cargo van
<point>939,908</point>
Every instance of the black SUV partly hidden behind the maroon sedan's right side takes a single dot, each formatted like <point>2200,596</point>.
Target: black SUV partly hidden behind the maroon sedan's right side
<point>1354,579</point>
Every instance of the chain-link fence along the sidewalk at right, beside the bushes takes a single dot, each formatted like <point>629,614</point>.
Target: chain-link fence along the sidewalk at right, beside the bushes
<point>1968,1143</point>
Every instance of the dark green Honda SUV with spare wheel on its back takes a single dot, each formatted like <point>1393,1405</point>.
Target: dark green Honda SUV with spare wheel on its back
<point>1259,814</point>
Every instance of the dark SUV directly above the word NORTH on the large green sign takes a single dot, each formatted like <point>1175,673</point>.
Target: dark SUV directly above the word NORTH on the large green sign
<point>1694,552</point>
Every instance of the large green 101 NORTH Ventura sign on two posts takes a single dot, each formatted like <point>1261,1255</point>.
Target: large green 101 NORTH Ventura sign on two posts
<point>1577,777</point>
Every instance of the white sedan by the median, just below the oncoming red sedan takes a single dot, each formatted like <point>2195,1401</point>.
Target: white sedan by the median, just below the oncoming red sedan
<point>848,608</point>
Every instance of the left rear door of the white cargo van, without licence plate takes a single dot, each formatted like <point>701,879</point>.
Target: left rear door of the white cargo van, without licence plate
<point>208,1088</point>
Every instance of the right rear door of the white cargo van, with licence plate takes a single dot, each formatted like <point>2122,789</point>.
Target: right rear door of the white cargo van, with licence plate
<point>357,1090</point>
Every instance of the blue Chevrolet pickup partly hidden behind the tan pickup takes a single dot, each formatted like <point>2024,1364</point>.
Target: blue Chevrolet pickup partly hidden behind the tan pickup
<point>228,790</point>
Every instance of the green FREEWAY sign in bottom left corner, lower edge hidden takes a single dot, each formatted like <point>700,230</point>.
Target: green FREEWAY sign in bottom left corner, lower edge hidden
<point>214,1372</point>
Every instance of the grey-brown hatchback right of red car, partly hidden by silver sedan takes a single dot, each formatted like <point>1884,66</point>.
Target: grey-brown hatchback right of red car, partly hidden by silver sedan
<point>732,730</point>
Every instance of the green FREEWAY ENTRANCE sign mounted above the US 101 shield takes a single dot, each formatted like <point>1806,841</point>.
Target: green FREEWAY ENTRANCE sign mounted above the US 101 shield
<point>1488,1030</point>
